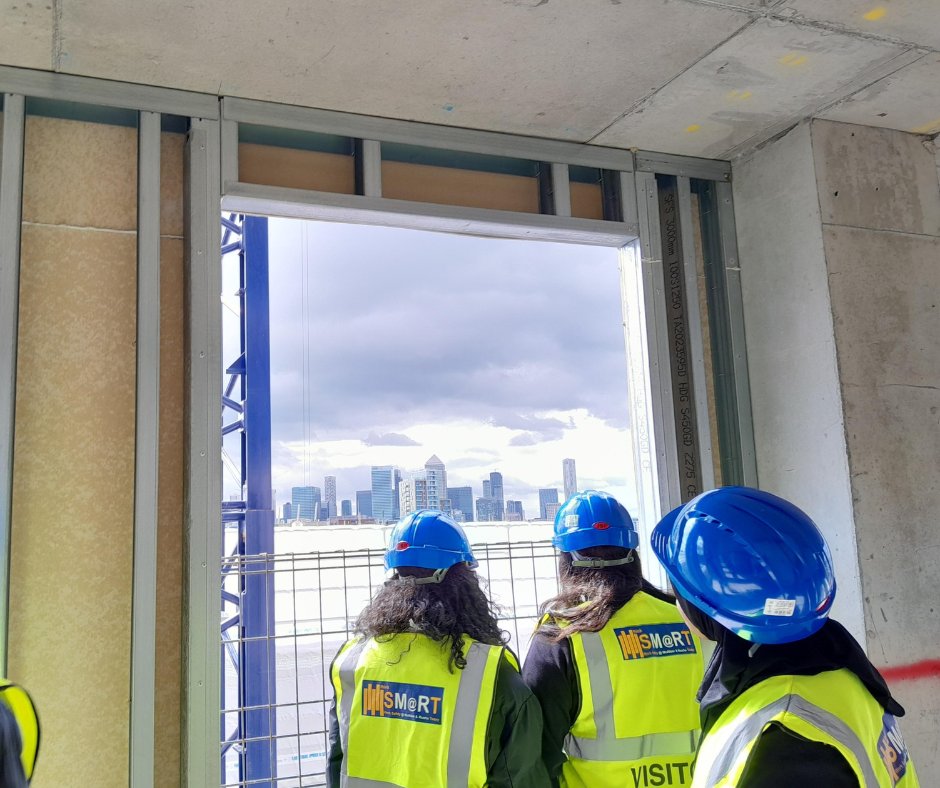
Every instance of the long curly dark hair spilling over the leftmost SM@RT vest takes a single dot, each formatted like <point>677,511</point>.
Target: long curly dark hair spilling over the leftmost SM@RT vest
<point>445,611</point>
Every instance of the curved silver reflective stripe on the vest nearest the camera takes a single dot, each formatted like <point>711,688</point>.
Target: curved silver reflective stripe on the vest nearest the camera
<point>826,721</point>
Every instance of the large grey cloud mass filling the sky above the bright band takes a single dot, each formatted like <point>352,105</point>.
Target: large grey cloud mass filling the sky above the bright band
<point>381,327</point>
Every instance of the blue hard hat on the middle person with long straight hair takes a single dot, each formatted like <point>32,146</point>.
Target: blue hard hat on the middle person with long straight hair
<point>593,519</point>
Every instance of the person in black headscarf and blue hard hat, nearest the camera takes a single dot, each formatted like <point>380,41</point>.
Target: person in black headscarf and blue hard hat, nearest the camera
<point>789,697</point>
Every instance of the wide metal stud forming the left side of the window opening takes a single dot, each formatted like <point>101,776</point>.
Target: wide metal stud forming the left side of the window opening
<point>204,473</point>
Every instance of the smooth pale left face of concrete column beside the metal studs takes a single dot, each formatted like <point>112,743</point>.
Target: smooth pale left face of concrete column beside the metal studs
<point>795,394</point>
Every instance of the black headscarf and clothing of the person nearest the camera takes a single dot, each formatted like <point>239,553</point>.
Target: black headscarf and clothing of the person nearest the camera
<point>781,758</point>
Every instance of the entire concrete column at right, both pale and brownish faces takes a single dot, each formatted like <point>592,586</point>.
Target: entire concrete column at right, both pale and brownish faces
<point>840,253</point>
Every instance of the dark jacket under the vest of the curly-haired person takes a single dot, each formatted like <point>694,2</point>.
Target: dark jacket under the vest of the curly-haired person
<point>513,737</point>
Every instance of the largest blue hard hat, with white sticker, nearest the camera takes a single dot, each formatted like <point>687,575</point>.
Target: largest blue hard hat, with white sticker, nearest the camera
<point>752,561</point>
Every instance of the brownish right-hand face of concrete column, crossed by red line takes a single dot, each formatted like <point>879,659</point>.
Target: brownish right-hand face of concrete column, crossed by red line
<point>880,206</point>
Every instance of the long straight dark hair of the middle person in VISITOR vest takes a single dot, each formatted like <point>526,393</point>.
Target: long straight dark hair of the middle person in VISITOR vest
<point>589,597</point>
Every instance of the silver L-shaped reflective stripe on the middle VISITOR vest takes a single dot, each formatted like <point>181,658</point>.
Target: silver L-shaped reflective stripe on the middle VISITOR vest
<point>607,747</point>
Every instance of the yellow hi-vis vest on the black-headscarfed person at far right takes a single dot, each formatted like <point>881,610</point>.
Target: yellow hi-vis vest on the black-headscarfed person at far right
<point>832,707</point>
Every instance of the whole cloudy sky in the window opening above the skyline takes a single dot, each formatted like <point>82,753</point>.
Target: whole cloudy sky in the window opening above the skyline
<point>388,346</point>
